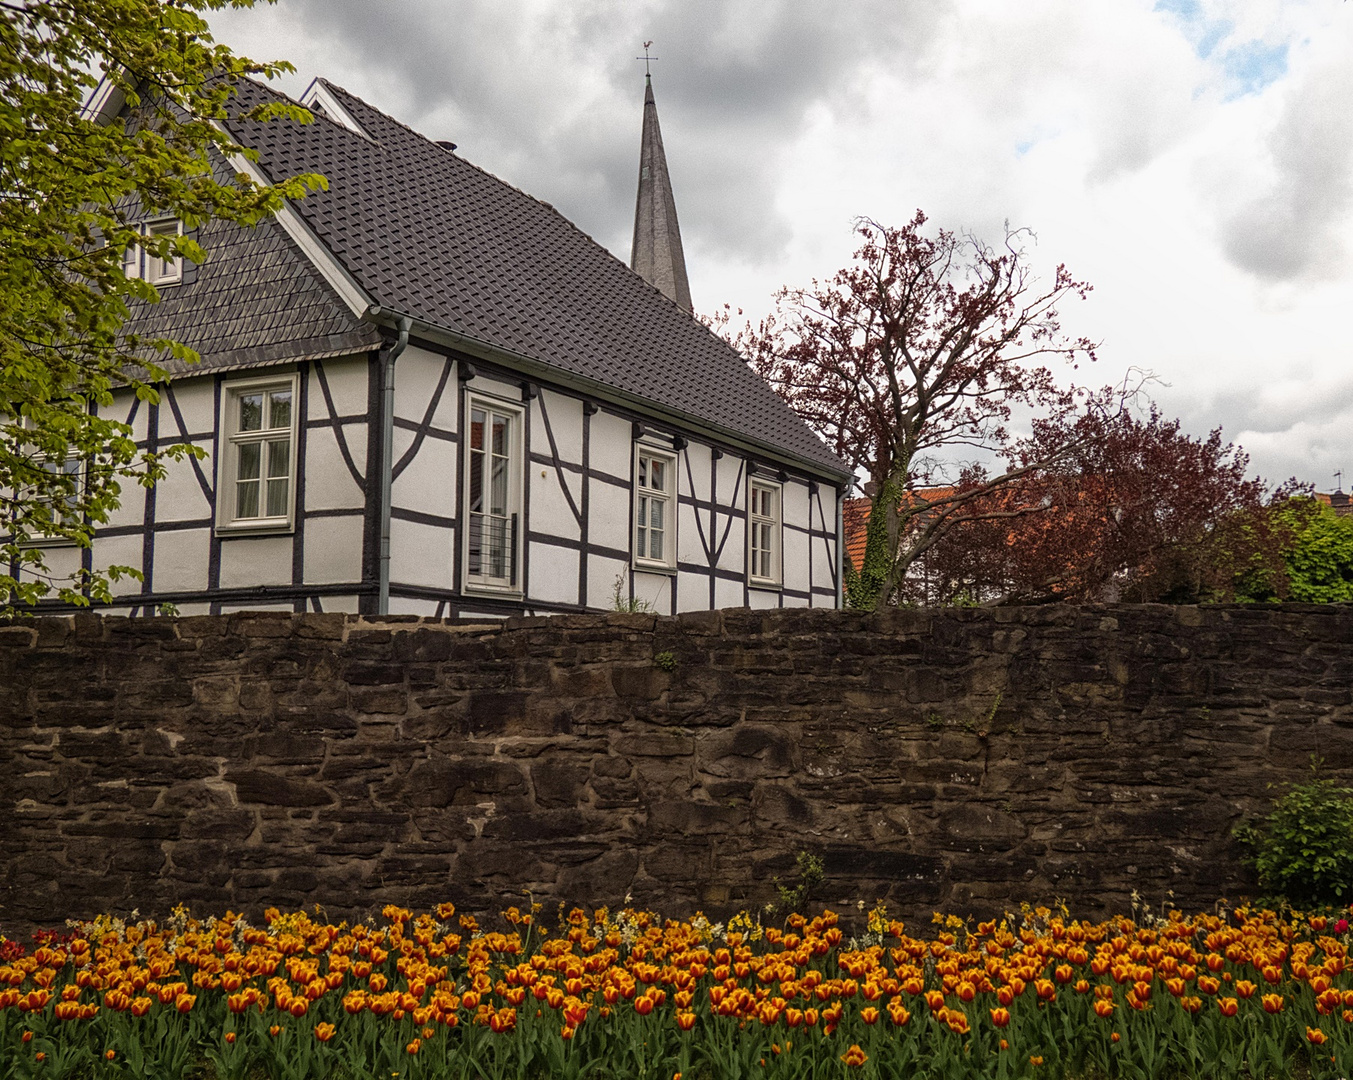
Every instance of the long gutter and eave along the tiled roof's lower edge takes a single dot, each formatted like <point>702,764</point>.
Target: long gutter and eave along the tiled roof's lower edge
<point>532,366</point>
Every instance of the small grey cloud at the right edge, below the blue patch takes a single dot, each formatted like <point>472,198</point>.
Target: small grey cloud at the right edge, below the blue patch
<point>1290,232</point>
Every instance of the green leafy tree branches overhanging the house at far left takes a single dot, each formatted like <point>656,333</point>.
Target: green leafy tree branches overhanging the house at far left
<point>76,181</point>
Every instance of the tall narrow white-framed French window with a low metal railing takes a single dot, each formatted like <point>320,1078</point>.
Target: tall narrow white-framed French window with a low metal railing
<point>493,495</point>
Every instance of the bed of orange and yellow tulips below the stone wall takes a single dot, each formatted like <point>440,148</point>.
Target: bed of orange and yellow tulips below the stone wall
<point>627,995</point>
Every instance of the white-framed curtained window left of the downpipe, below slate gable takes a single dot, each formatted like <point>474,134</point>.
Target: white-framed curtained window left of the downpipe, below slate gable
<point>258,482</point>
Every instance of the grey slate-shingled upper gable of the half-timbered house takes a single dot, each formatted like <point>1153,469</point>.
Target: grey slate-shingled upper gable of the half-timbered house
<point>256,301</point>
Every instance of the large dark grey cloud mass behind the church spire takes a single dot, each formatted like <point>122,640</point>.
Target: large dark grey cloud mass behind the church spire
<point>551,99</point>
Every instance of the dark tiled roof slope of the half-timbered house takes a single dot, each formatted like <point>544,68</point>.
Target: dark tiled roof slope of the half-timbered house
<point>430,235</point>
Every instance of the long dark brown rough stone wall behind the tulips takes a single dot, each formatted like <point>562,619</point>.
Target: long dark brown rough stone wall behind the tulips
<point>960,760</point>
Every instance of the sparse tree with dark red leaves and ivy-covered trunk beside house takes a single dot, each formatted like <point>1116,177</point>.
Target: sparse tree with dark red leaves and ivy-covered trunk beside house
<point>921,351</point>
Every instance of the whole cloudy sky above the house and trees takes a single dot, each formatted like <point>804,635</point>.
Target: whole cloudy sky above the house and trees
<point>1193,159</point>
